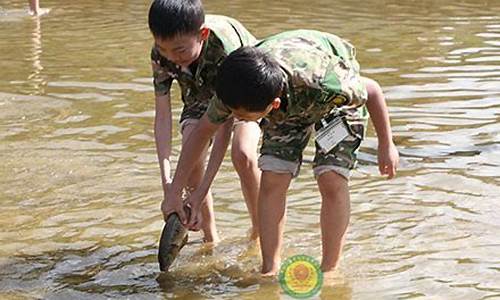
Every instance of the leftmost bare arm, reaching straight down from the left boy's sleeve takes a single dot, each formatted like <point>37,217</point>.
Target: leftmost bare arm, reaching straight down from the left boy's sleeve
<point>163,136</point>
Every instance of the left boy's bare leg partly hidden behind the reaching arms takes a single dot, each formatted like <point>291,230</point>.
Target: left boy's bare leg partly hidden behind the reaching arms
<point>207,209</point>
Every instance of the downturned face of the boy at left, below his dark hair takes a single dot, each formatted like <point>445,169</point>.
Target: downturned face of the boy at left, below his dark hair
<point>183,49</point>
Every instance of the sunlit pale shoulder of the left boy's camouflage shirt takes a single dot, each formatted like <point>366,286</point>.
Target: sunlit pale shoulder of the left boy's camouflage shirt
<point>230,32</point>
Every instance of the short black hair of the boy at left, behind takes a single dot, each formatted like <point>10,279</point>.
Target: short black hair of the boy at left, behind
<point>170,18</point>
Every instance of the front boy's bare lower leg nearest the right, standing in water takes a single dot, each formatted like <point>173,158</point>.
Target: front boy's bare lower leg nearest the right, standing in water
<point>335,211</point>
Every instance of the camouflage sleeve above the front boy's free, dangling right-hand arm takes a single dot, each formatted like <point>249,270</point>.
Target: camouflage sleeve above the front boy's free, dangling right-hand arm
<point>342,78</point>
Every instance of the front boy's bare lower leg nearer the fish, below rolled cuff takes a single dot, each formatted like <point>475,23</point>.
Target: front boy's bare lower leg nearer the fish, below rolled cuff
<point>272,201</point>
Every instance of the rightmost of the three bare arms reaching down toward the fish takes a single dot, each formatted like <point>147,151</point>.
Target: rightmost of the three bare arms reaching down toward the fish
<point>219,148</point>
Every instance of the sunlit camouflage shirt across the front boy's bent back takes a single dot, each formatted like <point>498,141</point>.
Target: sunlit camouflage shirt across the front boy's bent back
<point>318,64</point>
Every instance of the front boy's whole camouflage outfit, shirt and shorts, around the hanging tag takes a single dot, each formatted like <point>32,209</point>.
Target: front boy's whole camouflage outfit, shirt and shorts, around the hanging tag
<point>322,79</point>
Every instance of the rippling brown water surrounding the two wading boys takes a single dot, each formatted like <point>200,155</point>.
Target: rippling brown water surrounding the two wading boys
<point>80,188</point>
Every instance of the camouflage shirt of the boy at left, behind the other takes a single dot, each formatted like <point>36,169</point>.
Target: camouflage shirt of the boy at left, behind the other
<point>198,88</point>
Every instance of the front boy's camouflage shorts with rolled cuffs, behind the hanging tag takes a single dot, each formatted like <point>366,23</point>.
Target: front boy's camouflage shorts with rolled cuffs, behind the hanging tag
<point>287,141</point>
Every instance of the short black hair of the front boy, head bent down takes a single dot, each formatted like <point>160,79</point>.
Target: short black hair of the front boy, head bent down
<point>249,79</point>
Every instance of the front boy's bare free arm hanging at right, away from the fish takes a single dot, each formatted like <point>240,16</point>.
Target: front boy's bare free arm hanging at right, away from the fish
<point>388,157</point>
